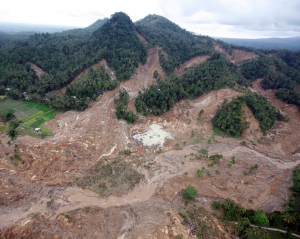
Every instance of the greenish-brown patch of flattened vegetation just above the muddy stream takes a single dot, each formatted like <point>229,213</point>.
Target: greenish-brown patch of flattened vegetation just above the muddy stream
<point>109,178</point>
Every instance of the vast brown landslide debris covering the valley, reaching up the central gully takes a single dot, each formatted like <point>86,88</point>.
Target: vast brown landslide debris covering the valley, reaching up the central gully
<point>39,198</point>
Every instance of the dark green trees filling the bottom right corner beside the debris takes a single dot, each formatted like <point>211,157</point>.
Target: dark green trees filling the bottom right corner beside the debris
<point>285,220</point>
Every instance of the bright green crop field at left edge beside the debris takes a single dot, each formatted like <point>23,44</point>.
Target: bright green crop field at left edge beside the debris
<point>33,115</point>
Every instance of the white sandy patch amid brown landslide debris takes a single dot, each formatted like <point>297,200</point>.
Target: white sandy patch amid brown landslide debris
<point>156,135</point>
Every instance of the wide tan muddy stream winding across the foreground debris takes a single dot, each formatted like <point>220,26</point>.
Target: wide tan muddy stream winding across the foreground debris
<point>167,165</point>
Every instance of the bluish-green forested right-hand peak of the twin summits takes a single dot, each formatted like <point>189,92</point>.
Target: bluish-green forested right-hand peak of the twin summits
<point>178,44</point>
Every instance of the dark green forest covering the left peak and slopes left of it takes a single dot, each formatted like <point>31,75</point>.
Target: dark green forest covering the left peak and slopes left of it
<point>64,57</point>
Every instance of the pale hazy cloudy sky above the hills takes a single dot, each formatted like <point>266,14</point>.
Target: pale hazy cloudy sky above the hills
<point>223,18</point>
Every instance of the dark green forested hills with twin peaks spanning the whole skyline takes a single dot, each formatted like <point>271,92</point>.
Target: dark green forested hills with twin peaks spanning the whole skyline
<point>64,55</point>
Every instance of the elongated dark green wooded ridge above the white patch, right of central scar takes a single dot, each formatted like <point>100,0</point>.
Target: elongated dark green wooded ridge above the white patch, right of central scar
<point>215,73</point>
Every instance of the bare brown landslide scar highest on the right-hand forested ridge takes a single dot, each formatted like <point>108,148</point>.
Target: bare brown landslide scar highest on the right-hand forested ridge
<point>237,56</point>
